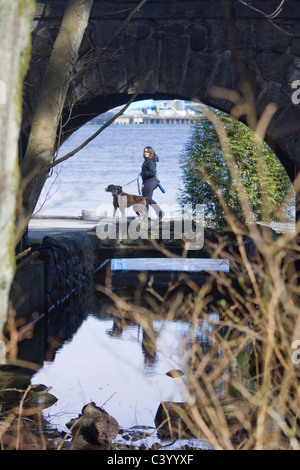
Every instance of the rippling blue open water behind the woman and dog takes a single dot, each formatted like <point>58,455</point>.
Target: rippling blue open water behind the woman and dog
<point>114,157</point>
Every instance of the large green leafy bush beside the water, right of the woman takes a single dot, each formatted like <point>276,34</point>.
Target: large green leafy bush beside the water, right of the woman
<point>265,180</point>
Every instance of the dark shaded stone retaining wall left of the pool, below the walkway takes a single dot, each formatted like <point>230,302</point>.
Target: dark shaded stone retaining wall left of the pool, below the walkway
<point>64,265</point>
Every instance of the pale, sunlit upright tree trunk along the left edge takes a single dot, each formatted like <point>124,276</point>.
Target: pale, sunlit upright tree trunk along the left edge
<point>16,17</point>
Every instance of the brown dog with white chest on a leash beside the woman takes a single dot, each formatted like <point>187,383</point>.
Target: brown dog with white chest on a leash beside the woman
<point>122,200</point>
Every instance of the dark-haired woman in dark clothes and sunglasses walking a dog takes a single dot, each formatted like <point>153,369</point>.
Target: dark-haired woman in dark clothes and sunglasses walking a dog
<point>149,178</point>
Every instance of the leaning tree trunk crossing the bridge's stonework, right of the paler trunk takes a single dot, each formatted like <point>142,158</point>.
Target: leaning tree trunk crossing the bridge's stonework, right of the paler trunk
<point>42,140</point>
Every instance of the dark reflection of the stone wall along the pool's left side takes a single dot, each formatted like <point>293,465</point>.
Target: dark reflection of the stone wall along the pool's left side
<point>46,334</point>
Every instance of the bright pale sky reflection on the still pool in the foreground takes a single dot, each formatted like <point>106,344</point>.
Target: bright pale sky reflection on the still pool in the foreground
<point>116,362</point>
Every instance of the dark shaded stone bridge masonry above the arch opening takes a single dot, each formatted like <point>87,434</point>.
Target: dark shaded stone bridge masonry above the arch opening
<point>190,46</point>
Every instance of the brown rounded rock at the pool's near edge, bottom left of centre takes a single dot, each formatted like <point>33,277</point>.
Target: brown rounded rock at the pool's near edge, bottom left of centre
<point>95,425</point>
